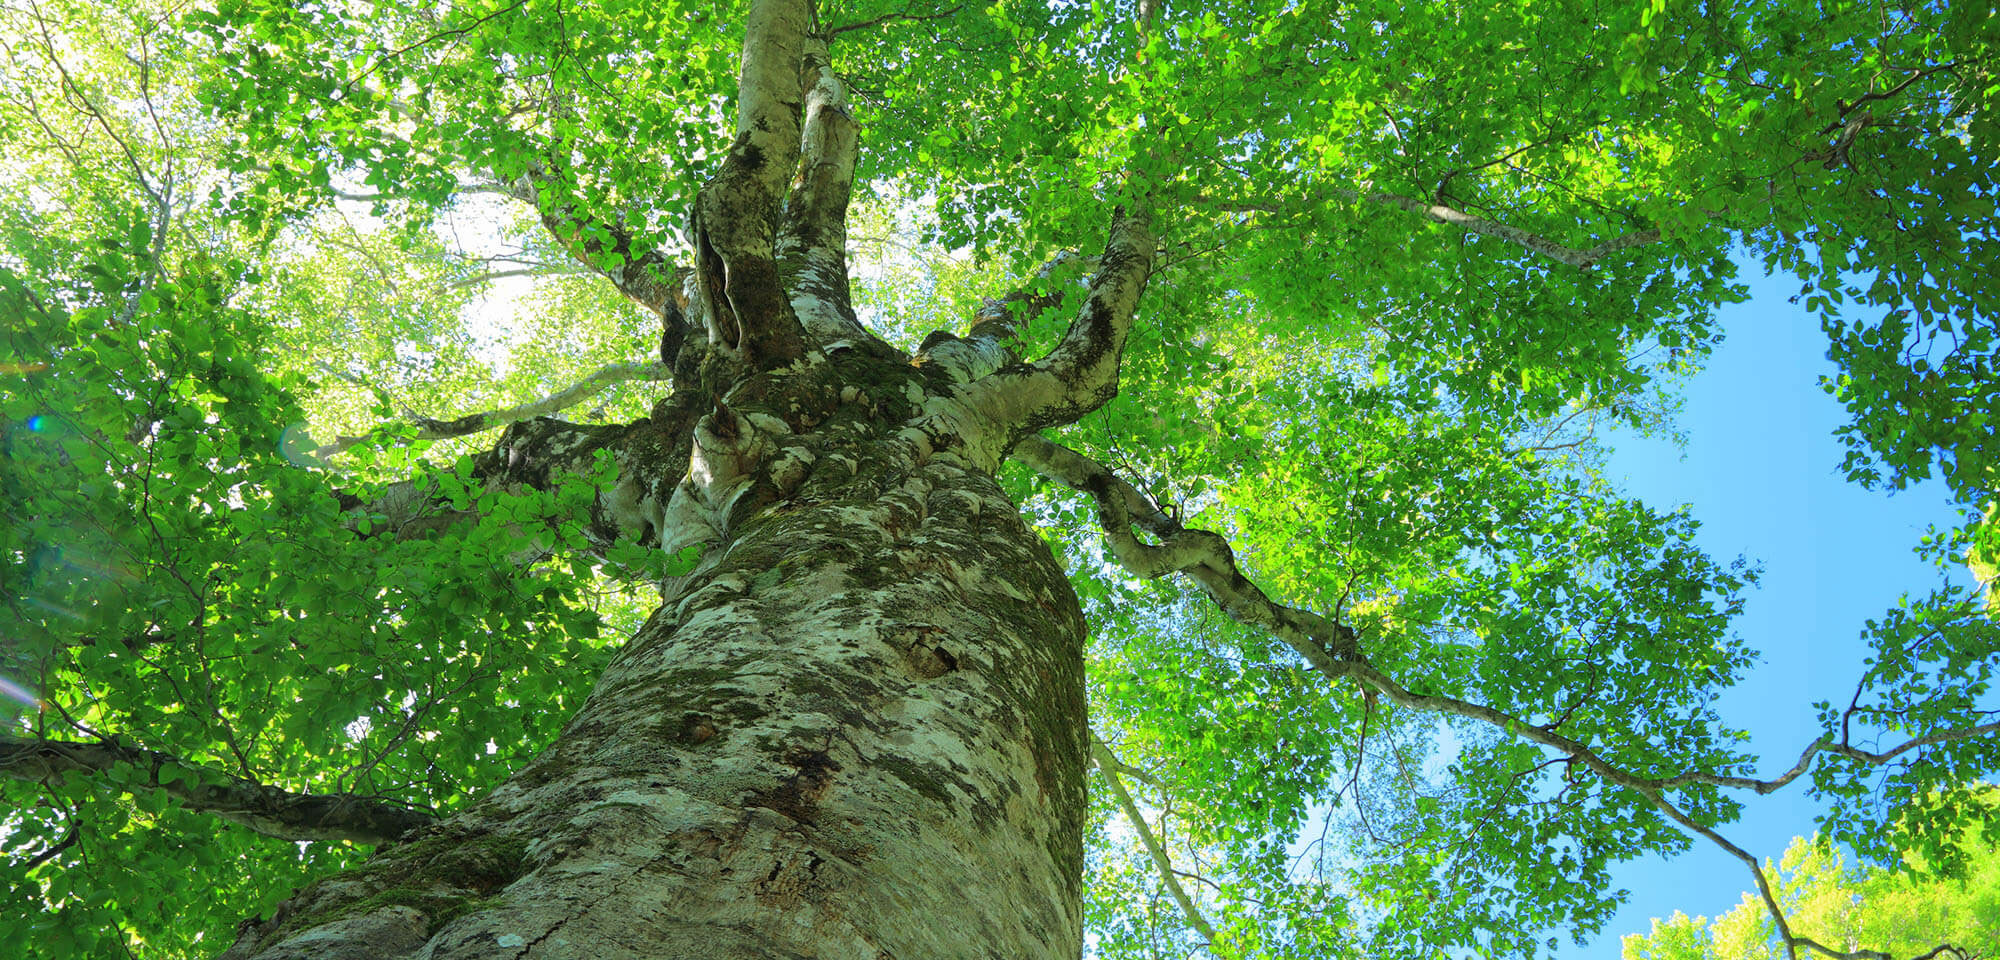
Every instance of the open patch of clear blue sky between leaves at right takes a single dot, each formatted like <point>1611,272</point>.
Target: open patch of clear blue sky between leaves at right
<point>1763,473</point>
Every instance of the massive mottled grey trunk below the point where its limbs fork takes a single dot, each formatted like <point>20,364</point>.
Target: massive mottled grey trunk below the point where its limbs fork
<point>855,733</point>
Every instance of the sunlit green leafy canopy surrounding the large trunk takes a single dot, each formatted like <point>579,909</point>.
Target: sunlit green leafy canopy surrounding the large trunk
<point>275,271</point>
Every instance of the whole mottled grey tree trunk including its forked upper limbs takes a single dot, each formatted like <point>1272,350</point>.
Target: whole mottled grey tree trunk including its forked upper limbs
<point>857,729</point>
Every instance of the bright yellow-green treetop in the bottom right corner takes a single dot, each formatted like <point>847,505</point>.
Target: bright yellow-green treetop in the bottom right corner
<point>1845,907</point>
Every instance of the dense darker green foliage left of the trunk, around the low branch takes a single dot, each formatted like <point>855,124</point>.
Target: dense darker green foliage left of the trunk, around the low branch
<point>179,581</point>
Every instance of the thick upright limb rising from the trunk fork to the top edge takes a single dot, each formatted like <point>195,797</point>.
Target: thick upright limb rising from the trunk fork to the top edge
<point>737,211</point>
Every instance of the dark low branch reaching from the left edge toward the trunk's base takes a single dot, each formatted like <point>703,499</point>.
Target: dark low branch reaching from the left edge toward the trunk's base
<point>245,803</point>
